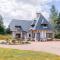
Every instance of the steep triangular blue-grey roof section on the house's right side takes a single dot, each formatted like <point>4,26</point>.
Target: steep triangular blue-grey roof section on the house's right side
<point>39,21</point>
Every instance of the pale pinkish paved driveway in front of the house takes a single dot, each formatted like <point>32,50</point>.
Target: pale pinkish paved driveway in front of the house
<point>50,47</point>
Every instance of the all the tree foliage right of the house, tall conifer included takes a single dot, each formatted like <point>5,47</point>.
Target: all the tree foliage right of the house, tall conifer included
<point>55,21</point>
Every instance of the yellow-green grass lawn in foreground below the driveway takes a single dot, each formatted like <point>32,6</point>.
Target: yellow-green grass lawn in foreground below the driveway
<point>13,54</point>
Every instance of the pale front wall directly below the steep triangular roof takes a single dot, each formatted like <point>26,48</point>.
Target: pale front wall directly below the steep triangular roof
<point>42,34</point>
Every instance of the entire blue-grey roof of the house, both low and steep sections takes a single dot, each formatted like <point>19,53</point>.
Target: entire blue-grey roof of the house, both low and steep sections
<point>27,24</point>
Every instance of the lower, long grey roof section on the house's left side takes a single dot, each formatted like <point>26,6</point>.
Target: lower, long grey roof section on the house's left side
<point>25,24</point>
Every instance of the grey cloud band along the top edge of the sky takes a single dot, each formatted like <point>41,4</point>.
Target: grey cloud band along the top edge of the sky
<point>34,2</point>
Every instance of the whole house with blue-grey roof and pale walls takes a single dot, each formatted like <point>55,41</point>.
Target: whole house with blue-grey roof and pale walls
<point>38,29</point>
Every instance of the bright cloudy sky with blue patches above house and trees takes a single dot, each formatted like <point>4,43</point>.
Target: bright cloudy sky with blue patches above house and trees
<point>25,9</point>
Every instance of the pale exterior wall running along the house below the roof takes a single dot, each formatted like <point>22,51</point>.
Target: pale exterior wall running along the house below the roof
<point>35,35</point>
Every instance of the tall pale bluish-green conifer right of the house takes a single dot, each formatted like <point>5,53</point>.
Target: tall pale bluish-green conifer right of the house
<point>53,16</point>
